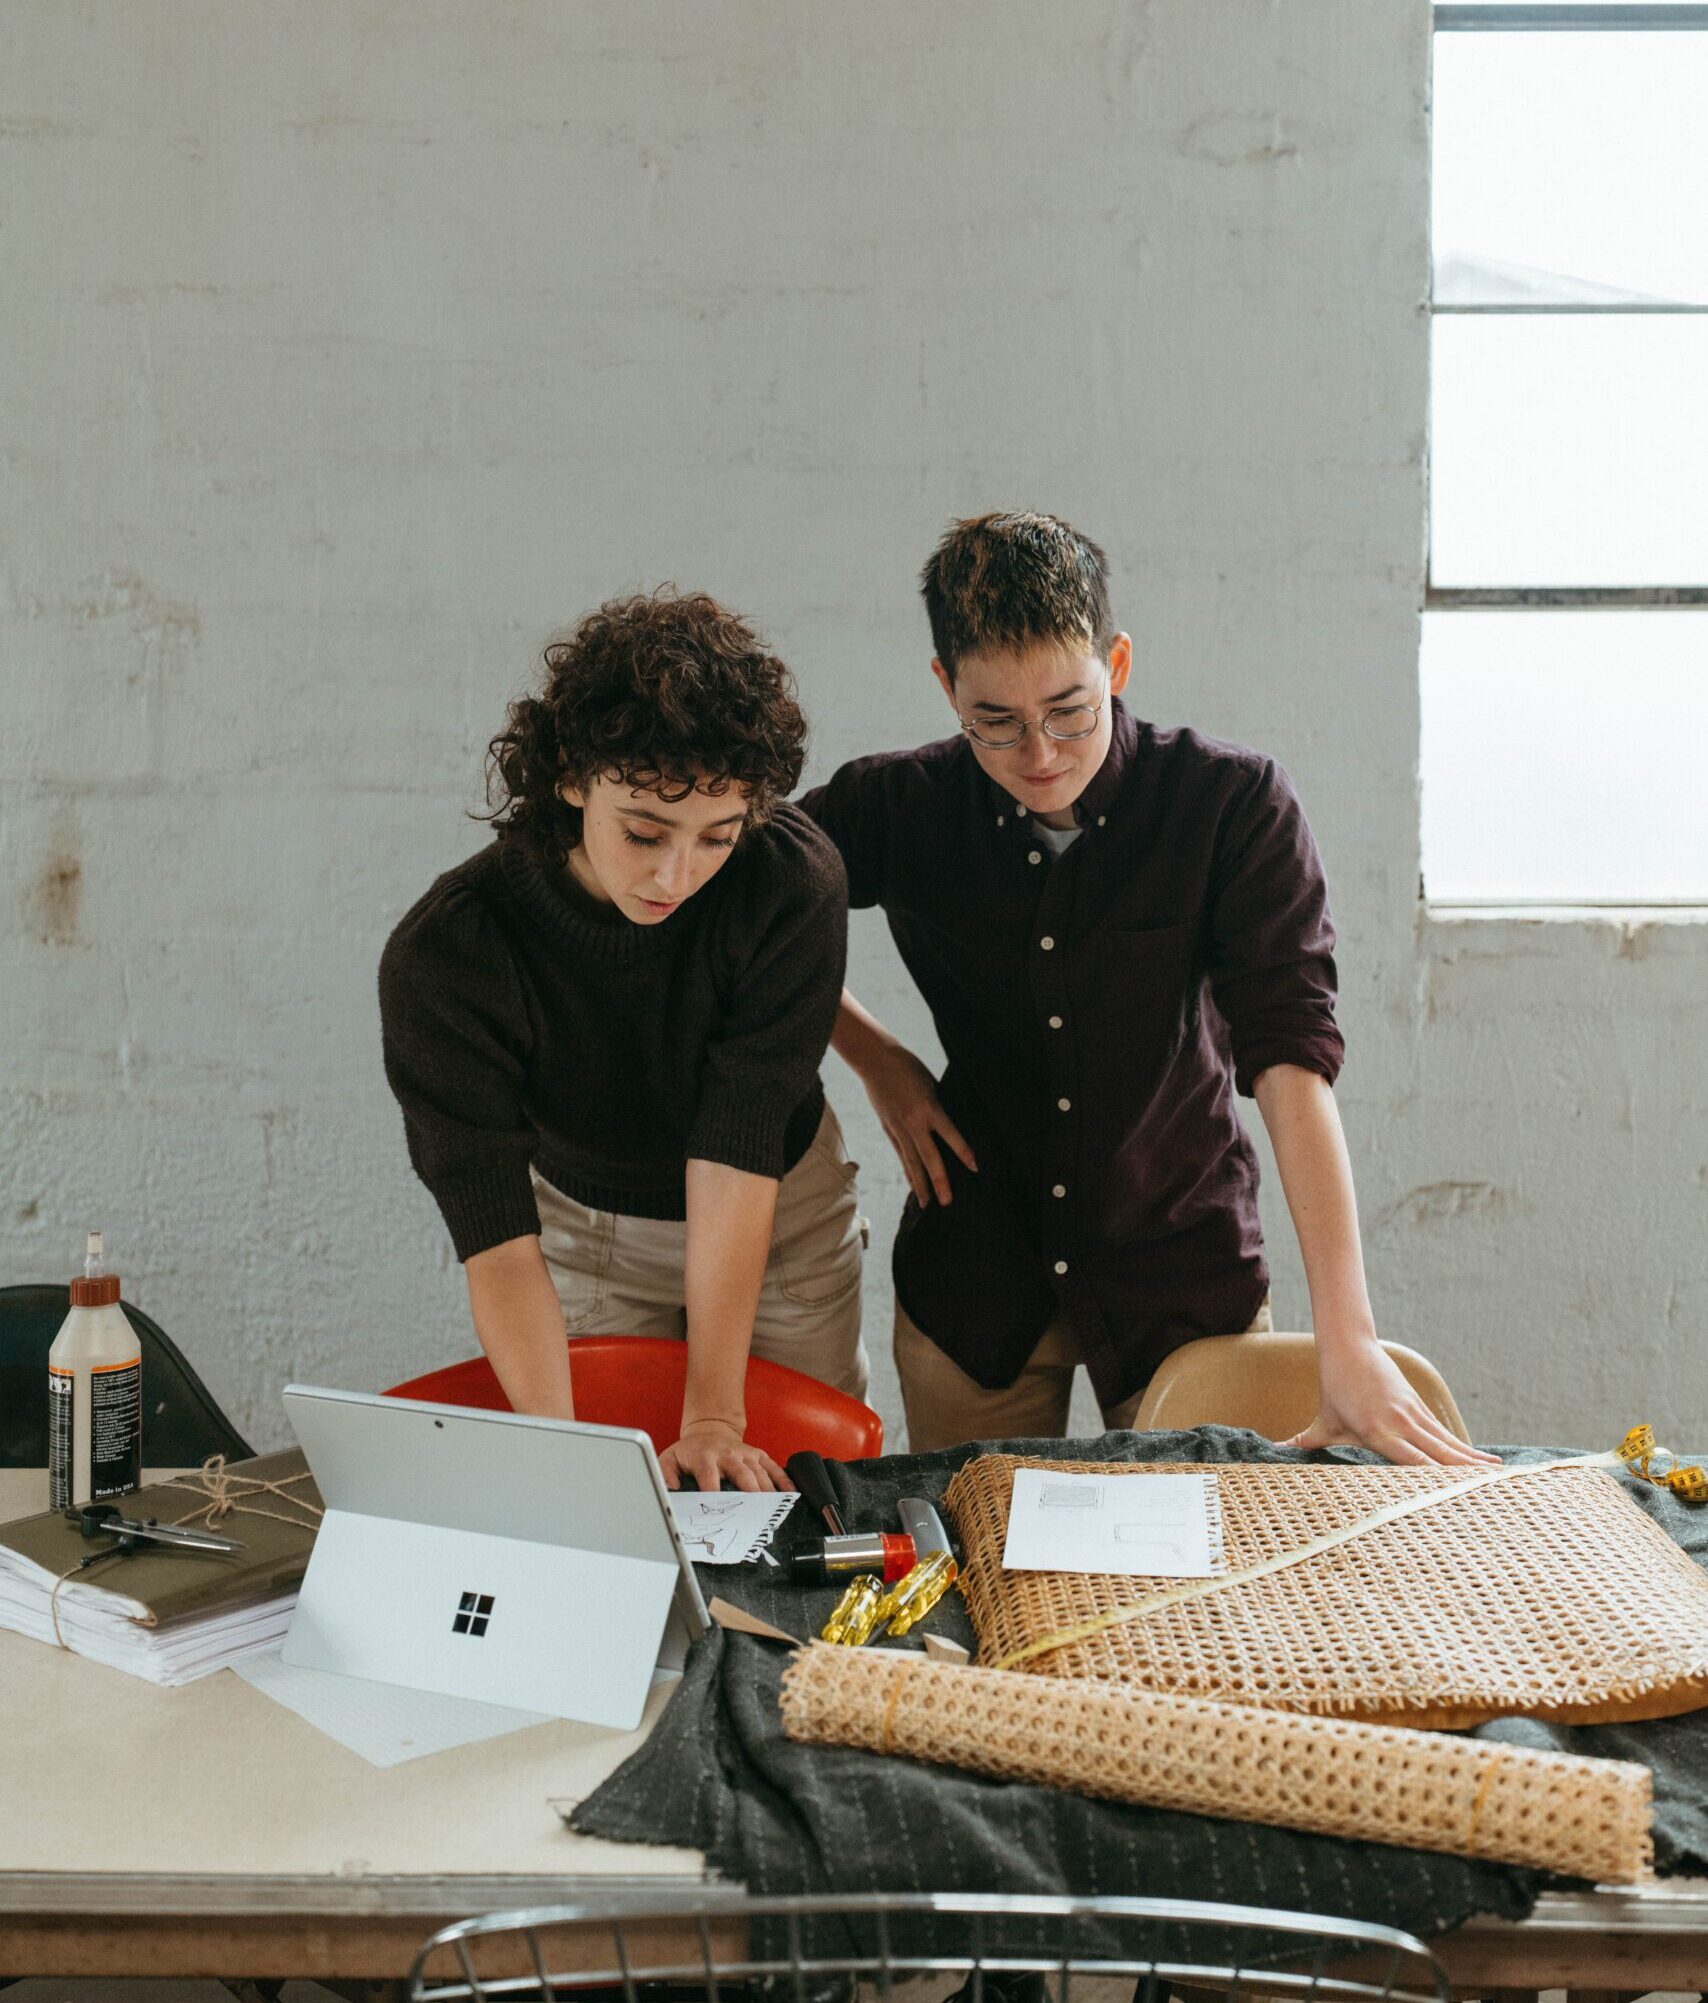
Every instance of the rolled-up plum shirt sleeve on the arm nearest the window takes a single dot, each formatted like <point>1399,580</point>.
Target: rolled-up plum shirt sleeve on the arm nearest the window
<point>1270,936</point>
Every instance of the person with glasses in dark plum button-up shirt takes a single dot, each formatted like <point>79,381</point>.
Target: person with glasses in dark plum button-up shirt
<point>1118,928</point>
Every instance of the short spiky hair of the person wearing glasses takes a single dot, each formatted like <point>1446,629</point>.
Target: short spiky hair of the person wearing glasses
<point>1010,582</point>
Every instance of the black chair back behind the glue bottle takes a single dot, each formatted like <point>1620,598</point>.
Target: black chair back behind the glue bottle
<point>181,1423</point>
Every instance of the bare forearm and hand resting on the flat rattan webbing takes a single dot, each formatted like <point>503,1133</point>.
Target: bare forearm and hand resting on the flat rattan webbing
<point>1363,1397</point>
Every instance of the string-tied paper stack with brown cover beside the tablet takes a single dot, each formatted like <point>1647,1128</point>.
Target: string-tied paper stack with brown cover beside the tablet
<point>167,1615</point>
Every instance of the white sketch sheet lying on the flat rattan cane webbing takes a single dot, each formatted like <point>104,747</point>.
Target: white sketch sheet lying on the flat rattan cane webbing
<point>1142,1525</point>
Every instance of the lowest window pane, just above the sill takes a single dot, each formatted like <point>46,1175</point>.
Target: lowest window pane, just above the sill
<point>1563,756</point>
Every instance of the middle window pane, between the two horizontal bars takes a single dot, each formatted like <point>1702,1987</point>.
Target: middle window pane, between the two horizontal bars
<point>1569,452</point>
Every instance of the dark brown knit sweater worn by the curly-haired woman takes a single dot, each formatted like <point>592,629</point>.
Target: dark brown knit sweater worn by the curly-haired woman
<point>522,1029</point>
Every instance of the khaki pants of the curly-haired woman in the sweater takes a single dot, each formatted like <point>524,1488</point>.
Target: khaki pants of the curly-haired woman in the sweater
<point>626,1275</point>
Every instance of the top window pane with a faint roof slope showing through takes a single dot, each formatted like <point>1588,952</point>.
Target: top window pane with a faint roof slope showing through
<point>1571,167</point>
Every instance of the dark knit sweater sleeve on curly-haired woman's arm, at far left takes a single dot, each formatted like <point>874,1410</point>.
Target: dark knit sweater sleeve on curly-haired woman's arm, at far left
<point>456,1055</point>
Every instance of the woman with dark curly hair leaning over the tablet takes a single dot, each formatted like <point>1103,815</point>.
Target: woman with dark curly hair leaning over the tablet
<point>606,1031</point>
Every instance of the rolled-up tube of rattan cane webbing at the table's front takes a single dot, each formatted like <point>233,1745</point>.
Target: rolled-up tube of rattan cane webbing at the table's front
<point>1469,1798</point>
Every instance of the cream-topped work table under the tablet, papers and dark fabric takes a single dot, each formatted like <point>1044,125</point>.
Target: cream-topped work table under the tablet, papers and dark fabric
<point>209,1832</point>
